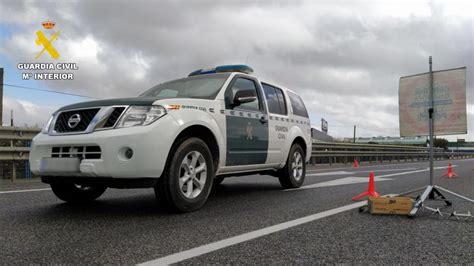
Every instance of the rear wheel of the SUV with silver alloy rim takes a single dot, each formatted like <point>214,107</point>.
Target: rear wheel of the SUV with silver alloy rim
<point>292,176</point>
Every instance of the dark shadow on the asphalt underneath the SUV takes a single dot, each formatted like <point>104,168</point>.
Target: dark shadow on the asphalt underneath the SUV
<point>145,204</point>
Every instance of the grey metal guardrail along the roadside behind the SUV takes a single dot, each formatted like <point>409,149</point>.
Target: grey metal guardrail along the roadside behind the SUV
<point>14,159</point>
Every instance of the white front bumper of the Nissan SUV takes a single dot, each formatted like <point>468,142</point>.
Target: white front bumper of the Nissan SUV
<point>150,145</point>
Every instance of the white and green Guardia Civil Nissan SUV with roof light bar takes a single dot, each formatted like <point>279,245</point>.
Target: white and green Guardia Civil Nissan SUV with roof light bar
<point>180,137</point>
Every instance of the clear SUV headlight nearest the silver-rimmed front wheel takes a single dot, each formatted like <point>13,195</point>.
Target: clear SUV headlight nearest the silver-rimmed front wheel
<point>141,116</point>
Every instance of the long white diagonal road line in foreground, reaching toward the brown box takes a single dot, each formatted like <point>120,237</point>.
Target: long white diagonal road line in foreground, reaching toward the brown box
<point>198,251</point>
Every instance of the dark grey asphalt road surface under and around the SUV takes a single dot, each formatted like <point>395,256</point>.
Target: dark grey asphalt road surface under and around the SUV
<point>128,227</point>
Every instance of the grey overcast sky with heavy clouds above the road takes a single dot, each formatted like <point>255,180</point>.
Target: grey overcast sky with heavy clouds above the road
<point>344,57</point>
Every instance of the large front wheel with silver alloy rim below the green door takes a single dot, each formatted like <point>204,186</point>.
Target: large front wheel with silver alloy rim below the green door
<point>185,186</point>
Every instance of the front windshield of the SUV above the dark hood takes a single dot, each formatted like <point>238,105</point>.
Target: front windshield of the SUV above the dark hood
<point>201,87</point>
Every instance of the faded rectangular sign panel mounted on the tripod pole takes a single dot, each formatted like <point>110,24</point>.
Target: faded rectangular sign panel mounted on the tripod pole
<point>449,98</point>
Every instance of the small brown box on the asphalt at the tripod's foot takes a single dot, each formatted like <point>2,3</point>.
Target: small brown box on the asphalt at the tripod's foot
<point>390,205</point>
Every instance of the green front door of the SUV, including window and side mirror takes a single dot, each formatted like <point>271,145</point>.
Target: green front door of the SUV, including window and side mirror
<point>246,123</point>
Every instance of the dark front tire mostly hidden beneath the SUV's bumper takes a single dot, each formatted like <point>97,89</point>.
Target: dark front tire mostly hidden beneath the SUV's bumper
<point>70,192</point>
